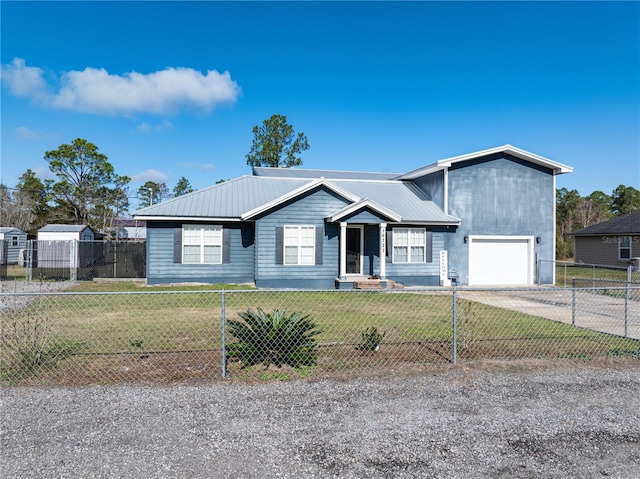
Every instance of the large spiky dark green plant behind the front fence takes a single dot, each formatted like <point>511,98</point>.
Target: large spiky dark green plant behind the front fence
<point>274,339</point>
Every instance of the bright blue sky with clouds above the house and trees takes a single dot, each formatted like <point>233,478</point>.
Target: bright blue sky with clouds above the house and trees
<point>171,89</point>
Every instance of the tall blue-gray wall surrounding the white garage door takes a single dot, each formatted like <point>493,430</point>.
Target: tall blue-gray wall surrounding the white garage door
<point>501,195</point>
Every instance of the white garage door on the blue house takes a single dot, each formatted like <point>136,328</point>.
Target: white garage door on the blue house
<point>500,260</point>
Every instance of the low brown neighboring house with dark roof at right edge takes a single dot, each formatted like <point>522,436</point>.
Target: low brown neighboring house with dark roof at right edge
<point>612,243</point>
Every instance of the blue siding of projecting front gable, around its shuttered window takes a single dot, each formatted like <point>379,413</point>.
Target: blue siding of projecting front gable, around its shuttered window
<point>310,209</point>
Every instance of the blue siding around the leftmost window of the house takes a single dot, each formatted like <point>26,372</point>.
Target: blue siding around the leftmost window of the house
<point>161,268</point>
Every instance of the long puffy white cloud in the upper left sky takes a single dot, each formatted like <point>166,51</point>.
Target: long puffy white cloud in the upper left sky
<point>93,90</point>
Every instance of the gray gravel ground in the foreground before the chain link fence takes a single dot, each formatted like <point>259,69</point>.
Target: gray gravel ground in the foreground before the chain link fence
<point>493,420</point>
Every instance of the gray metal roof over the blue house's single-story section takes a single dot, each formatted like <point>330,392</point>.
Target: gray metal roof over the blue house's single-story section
<point>247,196</point>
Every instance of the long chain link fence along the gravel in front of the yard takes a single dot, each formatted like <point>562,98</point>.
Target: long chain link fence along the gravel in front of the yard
<point>160,337</point>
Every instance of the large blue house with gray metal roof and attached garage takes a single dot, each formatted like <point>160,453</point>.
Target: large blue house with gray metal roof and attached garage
<point>482,218</point>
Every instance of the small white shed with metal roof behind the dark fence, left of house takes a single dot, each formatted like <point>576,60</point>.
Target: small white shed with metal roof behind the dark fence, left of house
<point>58,246</point>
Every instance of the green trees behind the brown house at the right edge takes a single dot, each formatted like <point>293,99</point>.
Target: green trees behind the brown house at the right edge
<point>574,212</point>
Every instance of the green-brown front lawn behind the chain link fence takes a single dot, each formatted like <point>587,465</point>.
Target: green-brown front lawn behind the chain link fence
<point>169,335</point>
